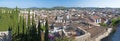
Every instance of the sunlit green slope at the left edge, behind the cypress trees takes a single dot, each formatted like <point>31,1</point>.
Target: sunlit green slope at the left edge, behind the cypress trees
<point>7,20</point>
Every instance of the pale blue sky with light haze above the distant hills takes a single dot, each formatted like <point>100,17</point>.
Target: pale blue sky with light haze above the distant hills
<point>65,3</point>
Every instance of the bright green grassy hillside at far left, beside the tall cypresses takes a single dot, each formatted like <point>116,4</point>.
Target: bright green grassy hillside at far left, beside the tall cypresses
<point>8,18</point>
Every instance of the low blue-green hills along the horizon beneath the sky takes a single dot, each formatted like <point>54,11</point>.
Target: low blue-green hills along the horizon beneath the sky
<point>60,8</point>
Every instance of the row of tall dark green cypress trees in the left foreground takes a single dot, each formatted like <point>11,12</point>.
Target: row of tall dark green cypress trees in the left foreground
<point>29,31</point>
